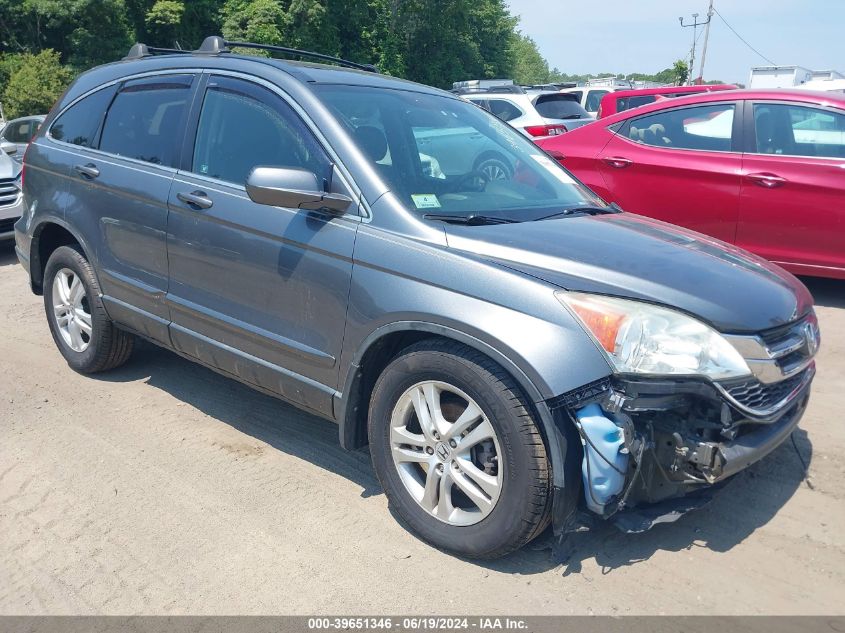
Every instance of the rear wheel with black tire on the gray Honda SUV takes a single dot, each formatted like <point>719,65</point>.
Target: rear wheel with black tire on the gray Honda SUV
<point>82,330</point>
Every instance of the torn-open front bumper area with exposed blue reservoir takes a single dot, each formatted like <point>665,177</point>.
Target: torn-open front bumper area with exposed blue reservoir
<point>653,450</point>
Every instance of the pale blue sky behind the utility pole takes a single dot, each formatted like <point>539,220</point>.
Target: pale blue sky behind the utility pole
<point>625,36</point>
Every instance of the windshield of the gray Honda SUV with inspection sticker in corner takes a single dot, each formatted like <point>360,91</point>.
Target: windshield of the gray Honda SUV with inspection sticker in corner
<point>442,155</point>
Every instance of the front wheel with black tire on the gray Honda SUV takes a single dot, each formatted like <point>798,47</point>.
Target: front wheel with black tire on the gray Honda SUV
<point>458,452</point>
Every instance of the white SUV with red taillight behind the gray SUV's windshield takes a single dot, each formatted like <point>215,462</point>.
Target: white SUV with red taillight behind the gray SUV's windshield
<point>535,113</point>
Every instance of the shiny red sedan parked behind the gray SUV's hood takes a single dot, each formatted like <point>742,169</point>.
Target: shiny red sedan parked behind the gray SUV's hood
<point>764,170</point>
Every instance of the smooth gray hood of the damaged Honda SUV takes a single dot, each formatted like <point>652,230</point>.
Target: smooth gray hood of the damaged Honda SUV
<point>631,256</point>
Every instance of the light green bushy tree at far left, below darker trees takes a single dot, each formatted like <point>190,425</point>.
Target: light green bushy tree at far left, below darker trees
<point>36,84</point>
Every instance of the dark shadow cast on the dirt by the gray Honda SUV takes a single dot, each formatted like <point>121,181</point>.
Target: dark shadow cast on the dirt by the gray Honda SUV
<point>746,504</point>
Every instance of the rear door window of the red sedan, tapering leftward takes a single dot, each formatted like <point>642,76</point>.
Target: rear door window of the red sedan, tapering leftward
<point>705,128</point>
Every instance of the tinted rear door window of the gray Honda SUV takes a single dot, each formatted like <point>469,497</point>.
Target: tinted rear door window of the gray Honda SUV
<point>147,118</point>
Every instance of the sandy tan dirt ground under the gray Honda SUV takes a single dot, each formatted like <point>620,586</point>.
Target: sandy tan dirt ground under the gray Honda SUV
<point>163,488</point>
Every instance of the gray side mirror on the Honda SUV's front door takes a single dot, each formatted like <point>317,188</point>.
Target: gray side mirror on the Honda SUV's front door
<point>293,189</point>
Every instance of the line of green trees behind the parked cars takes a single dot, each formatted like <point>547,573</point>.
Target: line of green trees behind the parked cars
<point>45,43</point>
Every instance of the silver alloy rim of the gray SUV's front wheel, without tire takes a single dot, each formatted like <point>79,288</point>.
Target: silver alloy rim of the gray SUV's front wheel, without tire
<point>446,453</point>
